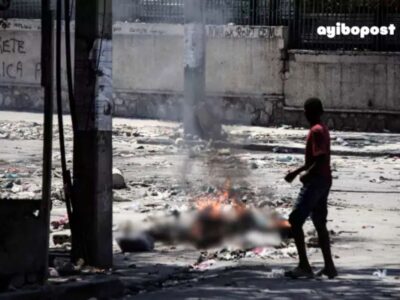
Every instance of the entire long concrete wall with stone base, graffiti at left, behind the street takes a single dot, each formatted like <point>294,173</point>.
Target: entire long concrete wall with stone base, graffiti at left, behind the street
<point>251,78</point>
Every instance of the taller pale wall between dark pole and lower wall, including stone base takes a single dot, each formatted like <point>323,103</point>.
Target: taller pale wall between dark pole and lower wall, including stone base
<point>242,71</point>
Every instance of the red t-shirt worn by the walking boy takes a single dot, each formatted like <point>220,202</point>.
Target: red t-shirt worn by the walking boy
<point>318,143</point>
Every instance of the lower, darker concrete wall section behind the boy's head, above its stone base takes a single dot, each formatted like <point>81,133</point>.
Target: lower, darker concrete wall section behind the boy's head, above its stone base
<point>348,80</point>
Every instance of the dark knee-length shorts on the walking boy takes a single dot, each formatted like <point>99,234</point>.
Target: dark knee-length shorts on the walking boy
<point>312,201</point>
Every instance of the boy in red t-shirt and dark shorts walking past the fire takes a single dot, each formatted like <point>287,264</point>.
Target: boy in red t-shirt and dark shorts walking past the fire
<point>313,197</point>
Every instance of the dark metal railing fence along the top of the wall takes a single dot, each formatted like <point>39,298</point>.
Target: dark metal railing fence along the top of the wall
<point>302,16</point>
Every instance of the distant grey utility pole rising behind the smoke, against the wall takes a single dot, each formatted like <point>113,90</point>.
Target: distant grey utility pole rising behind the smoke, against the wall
<point>194,60</point>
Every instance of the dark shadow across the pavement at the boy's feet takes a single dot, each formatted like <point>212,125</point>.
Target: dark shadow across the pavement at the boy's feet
<point>253,283</point>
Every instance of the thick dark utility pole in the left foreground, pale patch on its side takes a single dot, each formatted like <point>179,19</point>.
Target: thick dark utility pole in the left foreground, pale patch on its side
<point>92,188</point>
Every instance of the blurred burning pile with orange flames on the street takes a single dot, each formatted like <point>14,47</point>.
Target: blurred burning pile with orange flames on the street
<point>214,218</point>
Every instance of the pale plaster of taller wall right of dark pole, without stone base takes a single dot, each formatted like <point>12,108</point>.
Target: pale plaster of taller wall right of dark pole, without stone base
<point>240,60</point>
